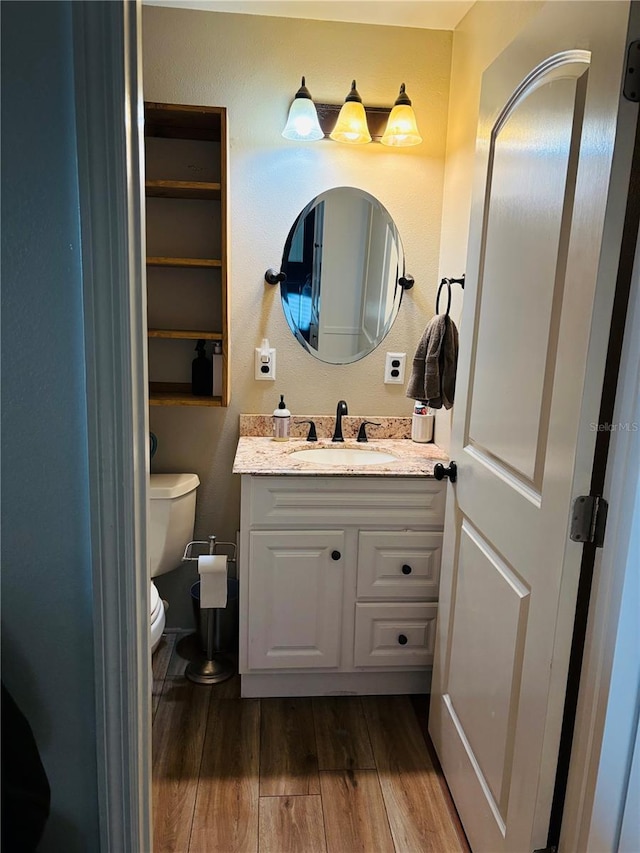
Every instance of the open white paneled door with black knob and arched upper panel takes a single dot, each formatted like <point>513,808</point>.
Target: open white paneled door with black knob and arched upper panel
<point>541,273</point>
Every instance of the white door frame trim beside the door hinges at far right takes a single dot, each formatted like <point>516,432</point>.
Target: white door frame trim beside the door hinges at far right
<point>588,819</point>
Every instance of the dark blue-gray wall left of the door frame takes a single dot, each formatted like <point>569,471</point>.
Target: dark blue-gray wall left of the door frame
<point>47,607</point>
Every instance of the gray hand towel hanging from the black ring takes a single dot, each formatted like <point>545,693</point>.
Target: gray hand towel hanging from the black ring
<point>433,377</point>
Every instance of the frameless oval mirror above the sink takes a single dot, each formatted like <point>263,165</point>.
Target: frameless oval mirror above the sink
<point>342,259</point>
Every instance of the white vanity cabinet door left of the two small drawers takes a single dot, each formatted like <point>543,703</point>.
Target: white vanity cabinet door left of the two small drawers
<point>295,599</point>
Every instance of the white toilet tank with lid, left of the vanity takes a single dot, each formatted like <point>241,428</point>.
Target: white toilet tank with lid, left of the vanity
<point>172,512</point>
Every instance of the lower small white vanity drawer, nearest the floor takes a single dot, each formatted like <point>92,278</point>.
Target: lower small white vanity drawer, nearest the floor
<point>395,634</point>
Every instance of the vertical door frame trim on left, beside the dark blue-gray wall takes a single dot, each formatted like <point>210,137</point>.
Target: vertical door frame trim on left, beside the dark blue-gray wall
<point>107,61</point>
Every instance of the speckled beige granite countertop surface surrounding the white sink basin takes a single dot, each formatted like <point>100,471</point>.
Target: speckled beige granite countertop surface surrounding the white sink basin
<point>263,456</point>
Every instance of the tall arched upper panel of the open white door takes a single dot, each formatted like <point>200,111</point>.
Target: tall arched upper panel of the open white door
<point>530,187</point>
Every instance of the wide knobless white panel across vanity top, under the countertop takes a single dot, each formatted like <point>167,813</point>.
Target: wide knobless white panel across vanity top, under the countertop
<point>328,501</point>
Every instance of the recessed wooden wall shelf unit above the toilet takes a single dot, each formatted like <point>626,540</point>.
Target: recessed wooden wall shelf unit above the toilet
<point>187,287</point>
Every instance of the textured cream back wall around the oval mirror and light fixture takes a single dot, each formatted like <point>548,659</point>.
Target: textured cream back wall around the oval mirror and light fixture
<point>252,65</point>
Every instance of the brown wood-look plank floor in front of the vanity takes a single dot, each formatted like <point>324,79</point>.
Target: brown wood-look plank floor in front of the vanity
<point>321,775</point>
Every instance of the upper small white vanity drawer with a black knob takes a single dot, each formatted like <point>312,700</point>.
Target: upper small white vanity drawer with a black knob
<point>399,564</point>
